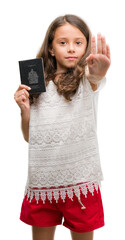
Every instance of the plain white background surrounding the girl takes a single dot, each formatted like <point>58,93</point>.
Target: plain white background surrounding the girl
<point>23,26</point>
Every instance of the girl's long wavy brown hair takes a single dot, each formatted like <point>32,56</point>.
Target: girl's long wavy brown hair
<point>68,82</point>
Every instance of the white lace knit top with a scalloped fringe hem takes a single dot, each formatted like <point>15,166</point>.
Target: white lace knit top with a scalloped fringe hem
<point>63,148</point>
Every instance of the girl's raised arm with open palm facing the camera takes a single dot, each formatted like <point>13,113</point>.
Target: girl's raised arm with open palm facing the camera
<point>98,61</point>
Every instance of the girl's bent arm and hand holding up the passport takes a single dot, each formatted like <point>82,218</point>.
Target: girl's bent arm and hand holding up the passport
<point>22,99</point>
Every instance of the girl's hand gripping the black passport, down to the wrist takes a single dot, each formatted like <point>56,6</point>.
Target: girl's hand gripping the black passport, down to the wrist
<point>21,97</point>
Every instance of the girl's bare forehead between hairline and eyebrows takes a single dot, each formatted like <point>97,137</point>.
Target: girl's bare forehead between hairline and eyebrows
<point>68,31</point>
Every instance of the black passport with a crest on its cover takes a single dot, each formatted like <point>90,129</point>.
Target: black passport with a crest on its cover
<point>32,74</point>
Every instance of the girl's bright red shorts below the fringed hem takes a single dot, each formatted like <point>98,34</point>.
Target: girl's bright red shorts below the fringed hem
<point>75,218</point>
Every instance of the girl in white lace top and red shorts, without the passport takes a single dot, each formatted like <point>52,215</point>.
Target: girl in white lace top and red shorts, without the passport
<point>64,171</point>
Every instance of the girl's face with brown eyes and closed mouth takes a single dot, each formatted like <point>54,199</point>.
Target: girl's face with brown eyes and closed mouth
<point>68,46</point>
